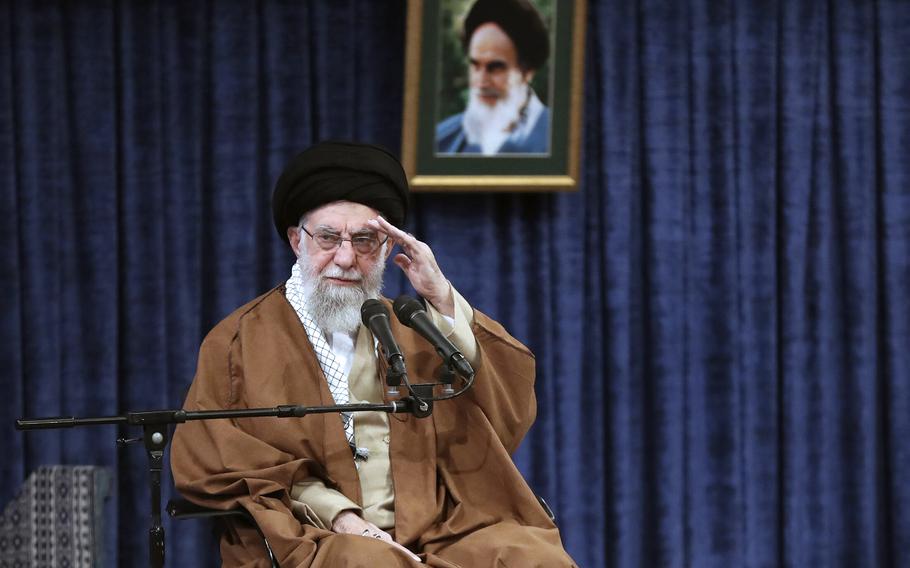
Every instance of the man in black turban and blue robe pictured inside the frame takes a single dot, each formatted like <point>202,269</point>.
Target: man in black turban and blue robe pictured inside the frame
<point>506,42</point>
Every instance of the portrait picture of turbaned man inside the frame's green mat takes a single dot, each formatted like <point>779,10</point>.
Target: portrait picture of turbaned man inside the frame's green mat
<point>493,98</point>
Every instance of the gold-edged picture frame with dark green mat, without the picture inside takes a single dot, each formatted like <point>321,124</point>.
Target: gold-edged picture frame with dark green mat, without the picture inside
<point>430,24</point>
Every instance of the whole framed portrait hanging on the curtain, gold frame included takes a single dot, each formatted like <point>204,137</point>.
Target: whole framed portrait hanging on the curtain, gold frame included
<point>493,95</point>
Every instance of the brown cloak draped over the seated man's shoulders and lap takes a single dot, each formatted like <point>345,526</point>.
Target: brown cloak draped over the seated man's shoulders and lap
<point>459,499</point>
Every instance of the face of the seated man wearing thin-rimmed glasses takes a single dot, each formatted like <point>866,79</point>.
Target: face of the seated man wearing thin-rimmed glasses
<point>347,220</point>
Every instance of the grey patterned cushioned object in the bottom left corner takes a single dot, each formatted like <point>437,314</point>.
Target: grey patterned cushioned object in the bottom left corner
<point>55,519</point>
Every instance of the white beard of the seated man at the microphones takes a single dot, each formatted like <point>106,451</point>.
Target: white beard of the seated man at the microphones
<point>337,308</point>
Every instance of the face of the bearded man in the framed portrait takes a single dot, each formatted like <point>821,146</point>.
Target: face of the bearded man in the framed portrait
<point>493,62</point>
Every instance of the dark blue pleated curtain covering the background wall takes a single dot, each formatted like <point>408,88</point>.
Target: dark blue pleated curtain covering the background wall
<point>721,313</point>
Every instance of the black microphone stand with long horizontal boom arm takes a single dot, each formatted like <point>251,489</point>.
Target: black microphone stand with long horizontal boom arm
<point>155,425</point>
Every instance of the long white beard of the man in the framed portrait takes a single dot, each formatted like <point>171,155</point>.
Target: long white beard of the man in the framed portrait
<point>490,126</point>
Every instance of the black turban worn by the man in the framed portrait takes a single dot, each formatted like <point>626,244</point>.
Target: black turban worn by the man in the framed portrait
<point>520,21</point>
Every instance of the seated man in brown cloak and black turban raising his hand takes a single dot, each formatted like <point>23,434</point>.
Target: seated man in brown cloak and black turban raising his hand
<point>365,489</point>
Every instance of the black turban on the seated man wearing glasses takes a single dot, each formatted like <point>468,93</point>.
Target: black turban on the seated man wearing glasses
<point>340,171</point>
